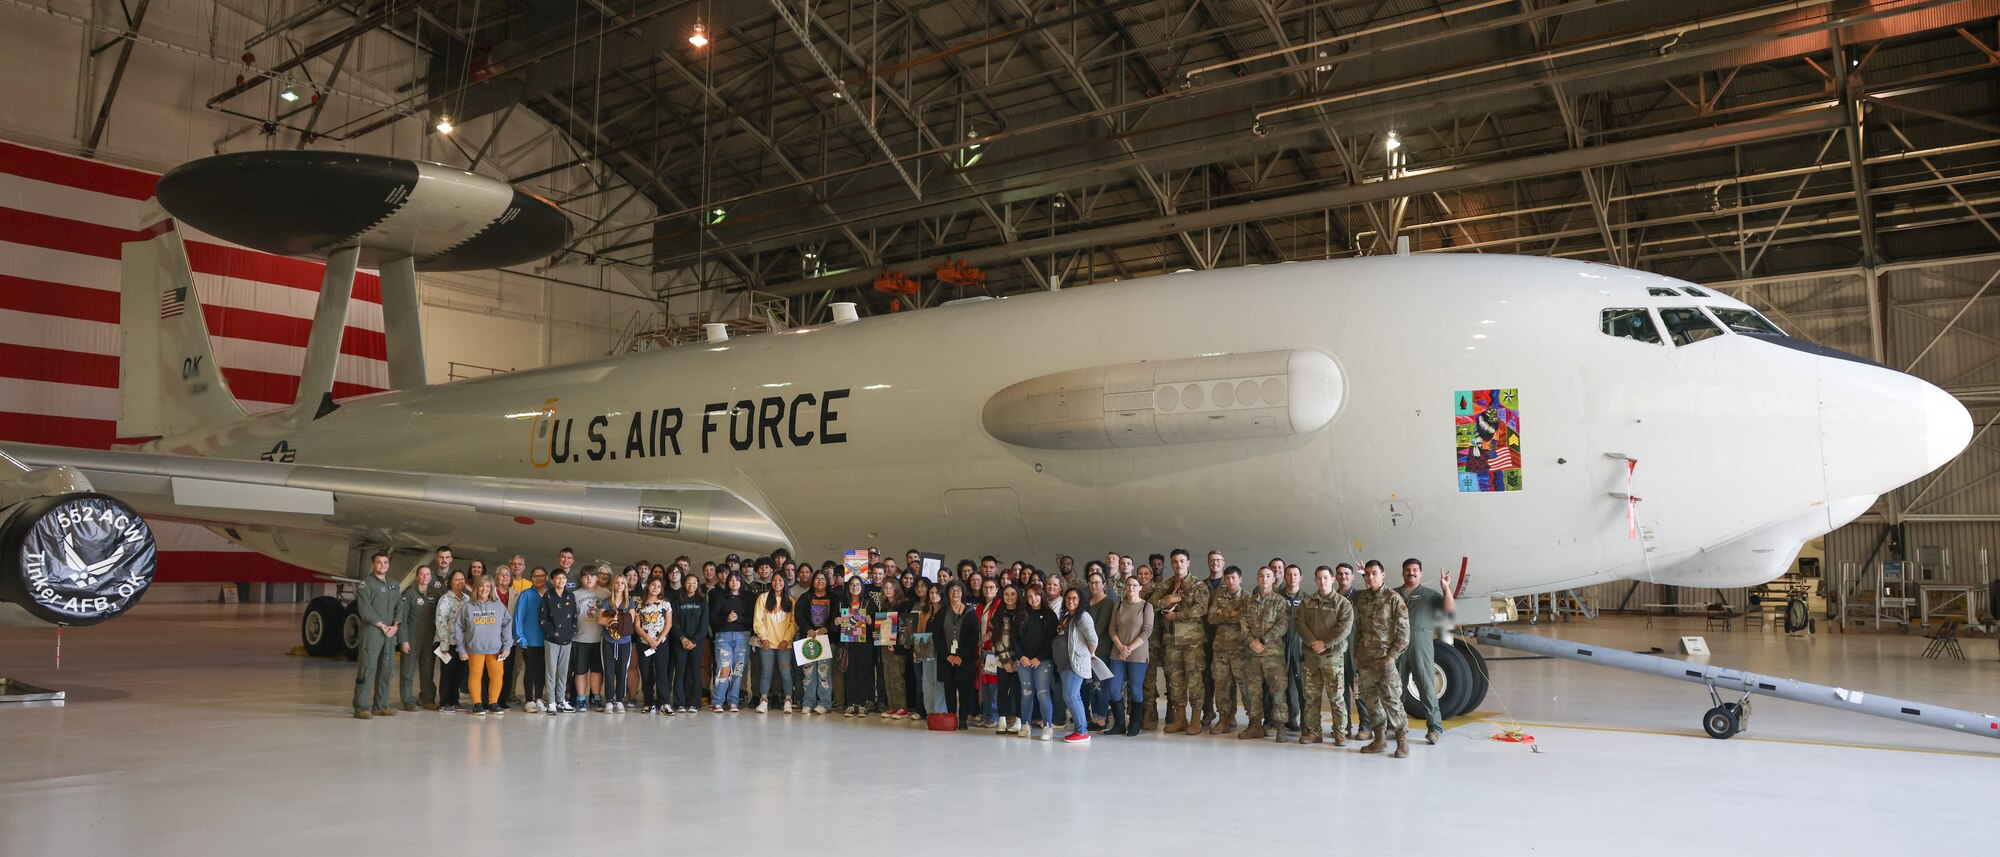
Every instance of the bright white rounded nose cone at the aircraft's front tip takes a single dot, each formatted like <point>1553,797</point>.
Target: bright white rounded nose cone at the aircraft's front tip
<point>1883,430</point>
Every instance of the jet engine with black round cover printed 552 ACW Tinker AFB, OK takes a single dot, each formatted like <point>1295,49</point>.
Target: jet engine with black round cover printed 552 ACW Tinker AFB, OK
<point>69,556</point>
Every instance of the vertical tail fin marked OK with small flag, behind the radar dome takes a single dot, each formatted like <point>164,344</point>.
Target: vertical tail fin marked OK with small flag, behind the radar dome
<point>169,381</point>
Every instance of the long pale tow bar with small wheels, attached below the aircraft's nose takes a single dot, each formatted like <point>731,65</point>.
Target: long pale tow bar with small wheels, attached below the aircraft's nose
<point>1729,718</point>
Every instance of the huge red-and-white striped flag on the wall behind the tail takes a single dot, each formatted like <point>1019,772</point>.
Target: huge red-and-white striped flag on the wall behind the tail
<point>63,221</point>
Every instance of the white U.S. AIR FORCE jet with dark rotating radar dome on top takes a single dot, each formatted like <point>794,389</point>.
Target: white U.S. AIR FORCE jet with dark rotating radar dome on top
<point>1551,423</point>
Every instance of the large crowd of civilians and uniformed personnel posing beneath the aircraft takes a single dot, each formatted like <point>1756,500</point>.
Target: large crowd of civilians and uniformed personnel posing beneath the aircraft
<point>1009,648</point>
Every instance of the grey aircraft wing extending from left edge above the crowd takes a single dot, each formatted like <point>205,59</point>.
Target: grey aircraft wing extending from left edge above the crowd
<point>311,516</point>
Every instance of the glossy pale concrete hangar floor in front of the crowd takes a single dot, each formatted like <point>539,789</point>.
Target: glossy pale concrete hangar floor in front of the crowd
<point>191,732</point>
